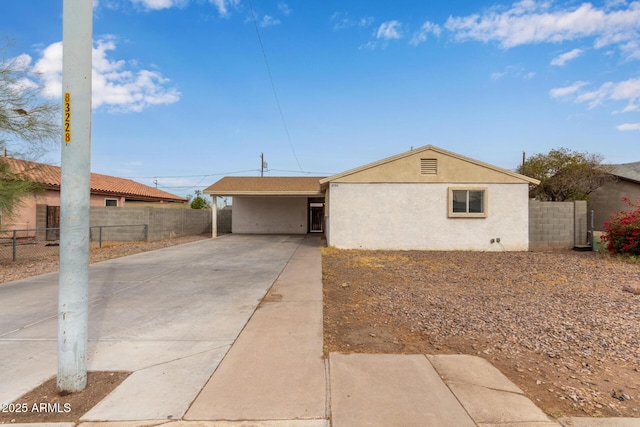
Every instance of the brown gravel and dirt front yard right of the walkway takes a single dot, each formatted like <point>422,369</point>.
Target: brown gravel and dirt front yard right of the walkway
<point>563,326</point>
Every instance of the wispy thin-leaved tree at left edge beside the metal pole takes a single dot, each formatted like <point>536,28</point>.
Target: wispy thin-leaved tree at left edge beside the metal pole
<point>28,125</point>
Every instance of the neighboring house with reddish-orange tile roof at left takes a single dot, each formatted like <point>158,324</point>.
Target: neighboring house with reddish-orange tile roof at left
<point>105,191</point>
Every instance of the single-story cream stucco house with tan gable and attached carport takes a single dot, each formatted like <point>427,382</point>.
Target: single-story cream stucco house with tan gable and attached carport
<point>426,198</point>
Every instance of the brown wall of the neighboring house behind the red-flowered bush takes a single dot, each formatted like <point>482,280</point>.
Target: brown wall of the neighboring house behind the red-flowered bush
<point>608,199</point>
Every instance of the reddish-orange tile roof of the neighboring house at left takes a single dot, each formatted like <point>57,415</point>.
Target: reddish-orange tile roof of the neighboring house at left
<point>51,176</point>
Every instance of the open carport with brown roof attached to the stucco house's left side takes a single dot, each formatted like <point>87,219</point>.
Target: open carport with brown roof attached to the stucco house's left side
<point>272,205</point>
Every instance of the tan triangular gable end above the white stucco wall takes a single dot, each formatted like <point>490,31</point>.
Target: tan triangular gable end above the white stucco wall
<point>385,168</point>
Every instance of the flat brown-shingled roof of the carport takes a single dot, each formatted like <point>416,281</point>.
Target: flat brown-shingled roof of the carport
<point>266,186</point>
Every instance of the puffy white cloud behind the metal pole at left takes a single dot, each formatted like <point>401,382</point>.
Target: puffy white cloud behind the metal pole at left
<point>114,84</point>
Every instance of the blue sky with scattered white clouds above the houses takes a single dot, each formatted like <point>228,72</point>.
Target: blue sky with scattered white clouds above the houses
<point>183,94</point>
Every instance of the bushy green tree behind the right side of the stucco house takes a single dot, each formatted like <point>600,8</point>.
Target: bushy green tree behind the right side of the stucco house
<point>565,174</point>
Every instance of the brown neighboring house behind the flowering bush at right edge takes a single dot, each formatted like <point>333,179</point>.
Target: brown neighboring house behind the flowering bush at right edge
<point>608,199</point>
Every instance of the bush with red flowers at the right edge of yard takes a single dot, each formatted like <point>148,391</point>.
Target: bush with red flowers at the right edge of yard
<point>622,231</point>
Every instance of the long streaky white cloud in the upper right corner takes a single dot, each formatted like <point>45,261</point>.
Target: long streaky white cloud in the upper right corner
<point>530,21</point>
